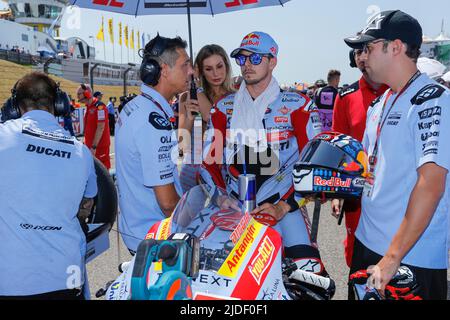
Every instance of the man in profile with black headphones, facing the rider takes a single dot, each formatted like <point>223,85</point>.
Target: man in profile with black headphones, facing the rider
<point>146,142</point>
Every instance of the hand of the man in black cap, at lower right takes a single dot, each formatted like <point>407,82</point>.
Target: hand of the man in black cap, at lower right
<point>382,274</point>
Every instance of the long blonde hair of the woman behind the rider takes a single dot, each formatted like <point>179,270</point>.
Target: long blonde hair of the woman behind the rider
<point>206,52</point>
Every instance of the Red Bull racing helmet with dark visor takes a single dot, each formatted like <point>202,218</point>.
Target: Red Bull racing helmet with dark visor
<point>332,165</point>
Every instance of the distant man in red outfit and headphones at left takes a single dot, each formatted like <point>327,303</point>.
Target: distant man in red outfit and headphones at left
<point>96,126</point>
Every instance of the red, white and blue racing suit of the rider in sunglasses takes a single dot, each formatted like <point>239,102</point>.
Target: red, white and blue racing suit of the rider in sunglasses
<point>290,122</point>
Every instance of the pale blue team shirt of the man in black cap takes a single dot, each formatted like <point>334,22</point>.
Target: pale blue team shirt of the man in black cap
<point>416,132</point>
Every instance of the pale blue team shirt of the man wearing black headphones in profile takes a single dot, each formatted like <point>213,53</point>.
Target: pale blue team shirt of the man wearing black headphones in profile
<point>146,156</point>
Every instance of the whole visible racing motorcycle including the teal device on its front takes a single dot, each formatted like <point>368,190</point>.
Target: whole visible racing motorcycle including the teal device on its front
<point>233,257</point>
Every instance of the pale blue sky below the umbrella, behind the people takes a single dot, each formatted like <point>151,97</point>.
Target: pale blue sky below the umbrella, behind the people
<point>309,33</point>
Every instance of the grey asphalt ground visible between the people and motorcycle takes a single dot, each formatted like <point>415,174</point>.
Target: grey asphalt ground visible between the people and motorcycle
<point>330,238</point>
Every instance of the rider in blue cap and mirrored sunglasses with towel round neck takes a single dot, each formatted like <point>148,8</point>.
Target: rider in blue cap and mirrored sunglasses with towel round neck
<point>275,125</point>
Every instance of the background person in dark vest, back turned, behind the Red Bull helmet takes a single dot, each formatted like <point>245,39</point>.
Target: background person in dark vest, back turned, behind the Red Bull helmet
<point>325,98</point>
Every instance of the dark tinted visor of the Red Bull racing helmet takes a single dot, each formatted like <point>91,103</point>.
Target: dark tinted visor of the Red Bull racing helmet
<point>319,153</point>
